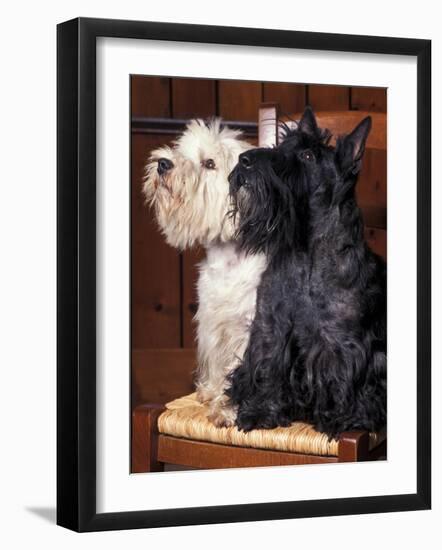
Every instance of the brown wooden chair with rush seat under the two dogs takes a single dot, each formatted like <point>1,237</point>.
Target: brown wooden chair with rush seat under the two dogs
<point>180,434</point>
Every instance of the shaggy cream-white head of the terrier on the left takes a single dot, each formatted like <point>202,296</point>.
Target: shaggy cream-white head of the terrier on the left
<point>187,184</point>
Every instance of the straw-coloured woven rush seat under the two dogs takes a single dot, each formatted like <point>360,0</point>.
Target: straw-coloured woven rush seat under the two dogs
<point>187,418</point>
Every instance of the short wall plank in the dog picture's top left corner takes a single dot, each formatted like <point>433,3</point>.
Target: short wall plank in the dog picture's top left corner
<point>150,96</point>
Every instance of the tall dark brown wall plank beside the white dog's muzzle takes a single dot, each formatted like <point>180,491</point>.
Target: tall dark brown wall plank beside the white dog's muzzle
<point>155,265</point>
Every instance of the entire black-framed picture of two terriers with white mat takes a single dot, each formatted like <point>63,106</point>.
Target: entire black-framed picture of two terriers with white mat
<point>228,202</point>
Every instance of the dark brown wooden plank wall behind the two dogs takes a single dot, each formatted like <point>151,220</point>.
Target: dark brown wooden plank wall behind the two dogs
<point>163,281</point>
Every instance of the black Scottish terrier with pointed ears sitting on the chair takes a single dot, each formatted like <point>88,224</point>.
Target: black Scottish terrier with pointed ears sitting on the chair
<point>317,350</point>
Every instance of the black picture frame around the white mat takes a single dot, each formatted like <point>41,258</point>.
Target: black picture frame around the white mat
<point>76,273</point>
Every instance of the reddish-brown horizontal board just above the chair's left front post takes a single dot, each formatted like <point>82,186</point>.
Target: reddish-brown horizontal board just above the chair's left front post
<point>160,375</point>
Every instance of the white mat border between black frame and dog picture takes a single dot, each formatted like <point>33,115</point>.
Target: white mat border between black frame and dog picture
<point>116,490</point>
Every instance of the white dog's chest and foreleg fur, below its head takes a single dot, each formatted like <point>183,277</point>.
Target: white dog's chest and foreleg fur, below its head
<point>227,288</point>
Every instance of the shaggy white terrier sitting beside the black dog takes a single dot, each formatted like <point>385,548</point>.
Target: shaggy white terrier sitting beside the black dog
<point>188,188</point>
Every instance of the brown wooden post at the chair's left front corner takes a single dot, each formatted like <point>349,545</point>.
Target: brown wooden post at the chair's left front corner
<point>145,439</point>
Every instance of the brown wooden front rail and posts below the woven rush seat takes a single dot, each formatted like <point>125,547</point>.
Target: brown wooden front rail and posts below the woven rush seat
<point>151,450</point>
